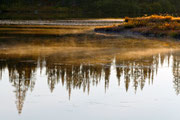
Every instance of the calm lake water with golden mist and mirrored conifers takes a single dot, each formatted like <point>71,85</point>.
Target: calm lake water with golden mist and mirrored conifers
<point>70,72</point>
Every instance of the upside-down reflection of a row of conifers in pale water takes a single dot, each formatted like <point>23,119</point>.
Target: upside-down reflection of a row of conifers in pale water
<point>81,76</point>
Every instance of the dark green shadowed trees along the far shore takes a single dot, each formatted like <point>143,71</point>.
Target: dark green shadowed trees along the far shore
<point>98,8</point>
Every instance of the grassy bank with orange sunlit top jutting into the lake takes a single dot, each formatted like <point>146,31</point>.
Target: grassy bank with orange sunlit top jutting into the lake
<point>149,25</point>
